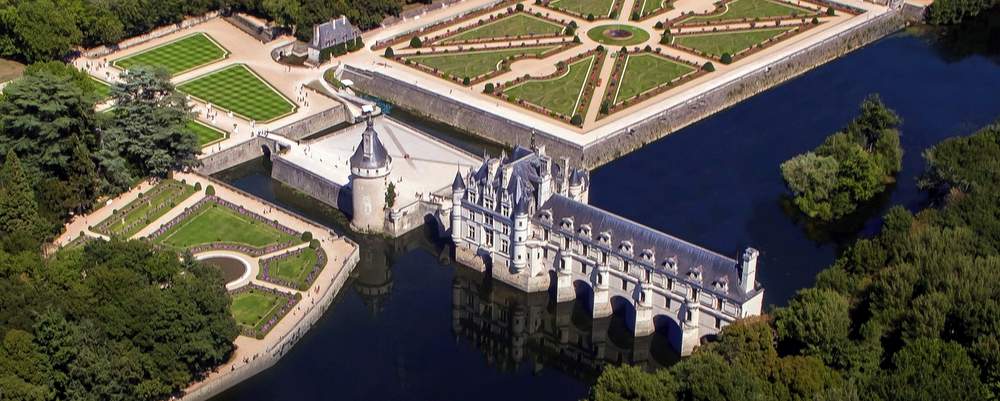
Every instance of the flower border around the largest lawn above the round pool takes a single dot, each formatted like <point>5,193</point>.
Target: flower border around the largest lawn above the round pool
<point>211,200</point>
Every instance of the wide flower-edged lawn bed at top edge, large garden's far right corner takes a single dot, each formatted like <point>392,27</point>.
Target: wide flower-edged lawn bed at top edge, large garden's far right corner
<point>729,11</point>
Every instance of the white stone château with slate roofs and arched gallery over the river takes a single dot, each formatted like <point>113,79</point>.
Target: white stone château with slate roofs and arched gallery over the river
<point>525,220</point>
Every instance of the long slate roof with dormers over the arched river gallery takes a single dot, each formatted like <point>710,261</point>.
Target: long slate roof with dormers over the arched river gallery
<point>689,258</point>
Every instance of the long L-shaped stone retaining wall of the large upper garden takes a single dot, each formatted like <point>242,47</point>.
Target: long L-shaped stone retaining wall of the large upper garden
<point>499,129</point>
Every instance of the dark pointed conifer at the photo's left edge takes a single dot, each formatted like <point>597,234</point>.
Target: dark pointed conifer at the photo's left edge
<point>20,225</point>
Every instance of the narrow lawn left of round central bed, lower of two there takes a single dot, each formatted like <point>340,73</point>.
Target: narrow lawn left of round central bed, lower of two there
<point>474,64</point>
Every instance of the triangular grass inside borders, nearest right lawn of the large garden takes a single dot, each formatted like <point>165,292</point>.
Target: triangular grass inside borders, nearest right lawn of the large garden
<point>647,71</point>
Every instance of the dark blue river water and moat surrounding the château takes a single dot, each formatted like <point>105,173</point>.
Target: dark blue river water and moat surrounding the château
<point>412,325</point>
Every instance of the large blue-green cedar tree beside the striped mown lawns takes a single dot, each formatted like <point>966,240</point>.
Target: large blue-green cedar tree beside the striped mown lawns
<point>150,126</point>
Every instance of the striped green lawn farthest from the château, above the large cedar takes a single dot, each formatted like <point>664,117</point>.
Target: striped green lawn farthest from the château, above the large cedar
<point>178,56</point>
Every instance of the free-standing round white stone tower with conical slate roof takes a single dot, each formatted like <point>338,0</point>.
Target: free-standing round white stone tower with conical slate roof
<point>370,168</point>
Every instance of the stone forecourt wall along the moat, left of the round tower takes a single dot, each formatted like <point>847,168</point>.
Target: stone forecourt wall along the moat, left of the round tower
<point>311,184</point>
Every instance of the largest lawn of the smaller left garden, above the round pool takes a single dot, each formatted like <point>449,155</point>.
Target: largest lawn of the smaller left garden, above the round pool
<point>217,223</point>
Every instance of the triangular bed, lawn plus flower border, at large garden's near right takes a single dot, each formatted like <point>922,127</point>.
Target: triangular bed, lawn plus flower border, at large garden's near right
<point>638,76</point>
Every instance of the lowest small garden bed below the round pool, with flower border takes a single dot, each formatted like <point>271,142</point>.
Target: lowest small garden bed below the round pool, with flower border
<point>257,309</point>
